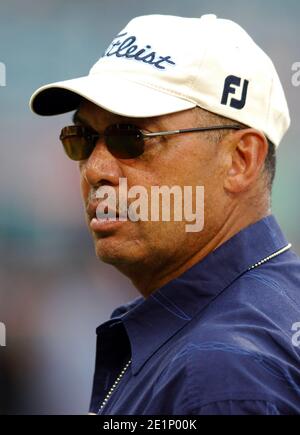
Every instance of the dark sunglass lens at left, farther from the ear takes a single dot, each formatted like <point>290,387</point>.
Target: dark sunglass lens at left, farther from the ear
<point>77,144</point>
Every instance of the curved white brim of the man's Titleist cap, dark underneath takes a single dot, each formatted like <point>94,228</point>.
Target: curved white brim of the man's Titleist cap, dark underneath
<point>122,97</point>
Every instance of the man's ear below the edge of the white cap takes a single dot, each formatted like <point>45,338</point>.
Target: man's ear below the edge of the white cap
<point>248,150</point>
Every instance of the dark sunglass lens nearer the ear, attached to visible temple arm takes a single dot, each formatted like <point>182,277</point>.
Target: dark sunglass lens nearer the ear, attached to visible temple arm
<point>124,141</point>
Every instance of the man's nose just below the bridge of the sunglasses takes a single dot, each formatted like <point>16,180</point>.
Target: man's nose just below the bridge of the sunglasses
<point>101,167</point>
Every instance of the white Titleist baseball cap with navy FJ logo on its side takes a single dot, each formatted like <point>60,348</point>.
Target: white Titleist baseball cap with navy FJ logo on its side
<point>162,64</point>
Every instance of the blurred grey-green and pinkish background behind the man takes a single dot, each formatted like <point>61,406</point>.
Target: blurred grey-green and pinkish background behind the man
<point>53,292</point>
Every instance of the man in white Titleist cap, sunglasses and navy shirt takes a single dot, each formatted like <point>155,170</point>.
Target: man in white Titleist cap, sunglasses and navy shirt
<point>213,332</point>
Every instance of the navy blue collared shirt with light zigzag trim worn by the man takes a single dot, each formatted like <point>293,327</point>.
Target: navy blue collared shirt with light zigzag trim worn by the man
<point>216,340</point>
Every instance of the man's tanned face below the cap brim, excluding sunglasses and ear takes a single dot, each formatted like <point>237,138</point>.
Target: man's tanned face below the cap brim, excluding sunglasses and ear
<point>179,160</point>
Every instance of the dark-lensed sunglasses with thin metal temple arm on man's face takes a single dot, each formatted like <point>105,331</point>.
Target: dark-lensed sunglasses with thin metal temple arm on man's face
<point>124,141</point>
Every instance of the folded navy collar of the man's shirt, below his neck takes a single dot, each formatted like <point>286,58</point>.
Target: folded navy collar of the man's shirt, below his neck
<point>151,322</point>
